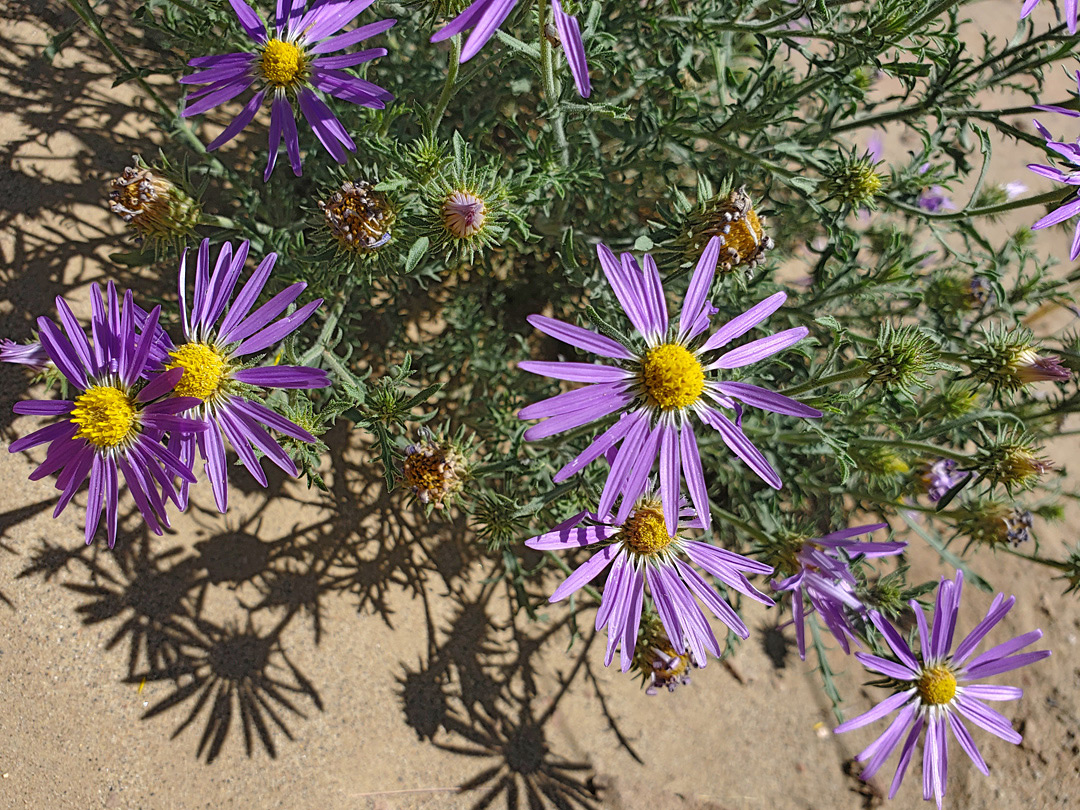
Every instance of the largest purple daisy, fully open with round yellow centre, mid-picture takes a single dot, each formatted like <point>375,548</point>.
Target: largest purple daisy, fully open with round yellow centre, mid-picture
<point>658,386</point>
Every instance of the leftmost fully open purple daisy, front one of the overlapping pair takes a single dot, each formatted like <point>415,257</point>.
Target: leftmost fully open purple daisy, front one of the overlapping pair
<point>115,426</point>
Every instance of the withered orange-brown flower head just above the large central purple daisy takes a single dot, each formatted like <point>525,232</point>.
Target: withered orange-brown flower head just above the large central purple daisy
<point>734,220</point>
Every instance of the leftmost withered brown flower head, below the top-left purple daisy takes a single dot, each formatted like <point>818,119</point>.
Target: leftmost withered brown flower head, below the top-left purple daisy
<point>155,208</point>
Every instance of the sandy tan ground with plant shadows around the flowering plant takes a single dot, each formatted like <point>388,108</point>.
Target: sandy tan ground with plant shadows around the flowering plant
<point>331,652</point>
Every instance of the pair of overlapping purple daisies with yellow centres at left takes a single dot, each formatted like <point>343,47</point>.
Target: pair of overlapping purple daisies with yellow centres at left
<point>146,406</point>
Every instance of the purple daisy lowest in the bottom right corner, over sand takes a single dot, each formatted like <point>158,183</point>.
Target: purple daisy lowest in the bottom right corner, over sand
<point>936,690</point>
